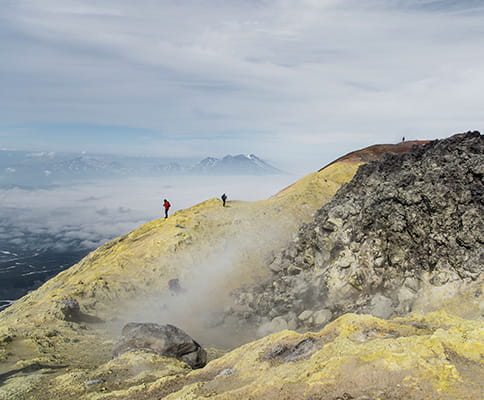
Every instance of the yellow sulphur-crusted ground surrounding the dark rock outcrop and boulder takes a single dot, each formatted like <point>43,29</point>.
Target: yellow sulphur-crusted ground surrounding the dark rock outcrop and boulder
<point>213,251</point>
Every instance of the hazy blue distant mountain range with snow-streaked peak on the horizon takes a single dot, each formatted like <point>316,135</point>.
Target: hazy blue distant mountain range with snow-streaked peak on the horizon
<point>22,168</point>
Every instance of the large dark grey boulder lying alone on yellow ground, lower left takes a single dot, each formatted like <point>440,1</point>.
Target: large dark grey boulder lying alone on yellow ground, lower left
<point>166,340</point>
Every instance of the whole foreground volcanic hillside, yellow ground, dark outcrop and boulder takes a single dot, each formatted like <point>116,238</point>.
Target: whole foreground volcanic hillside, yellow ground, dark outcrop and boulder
<point>362,280</point>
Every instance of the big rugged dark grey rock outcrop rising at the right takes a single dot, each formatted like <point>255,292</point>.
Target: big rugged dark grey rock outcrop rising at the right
<point>403,221</point>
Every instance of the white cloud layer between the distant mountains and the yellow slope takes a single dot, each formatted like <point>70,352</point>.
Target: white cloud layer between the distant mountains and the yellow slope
<point>93,213</point>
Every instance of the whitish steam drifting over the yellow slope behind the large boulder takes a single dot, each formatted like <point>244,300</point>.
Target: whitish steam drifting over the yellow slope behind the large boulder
<point>206,284</point>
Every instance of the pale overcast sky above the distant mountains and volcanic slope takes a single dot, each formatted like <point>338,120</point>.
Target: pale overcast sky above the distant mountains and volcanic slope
<point>295,82</point>
